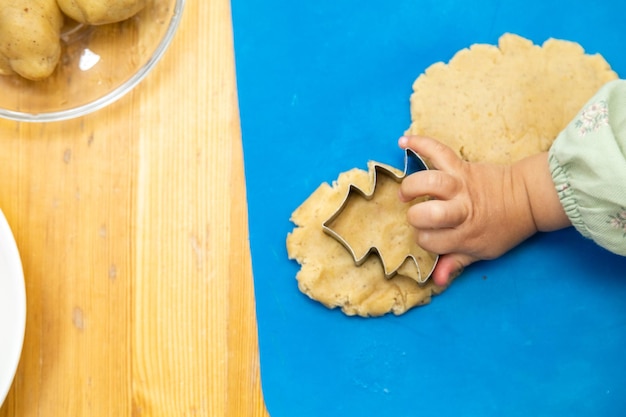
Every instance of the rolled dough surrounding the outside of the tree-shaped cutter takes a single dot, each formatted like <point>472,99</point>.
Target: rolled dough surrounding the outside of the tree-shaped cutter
<point>328,273</point>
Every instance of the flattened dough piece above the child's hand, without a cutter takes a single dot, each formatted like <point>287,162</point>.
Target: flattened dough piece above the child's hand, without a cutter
<point>501,104</point>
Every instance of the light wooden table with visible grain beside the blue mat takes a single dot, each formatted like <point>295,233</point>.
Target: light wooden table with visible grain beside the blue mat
<point>132,227</point>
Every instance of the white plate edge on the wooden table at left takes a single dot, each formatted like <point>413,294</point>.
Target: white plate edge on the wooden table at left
<point>12,307</point>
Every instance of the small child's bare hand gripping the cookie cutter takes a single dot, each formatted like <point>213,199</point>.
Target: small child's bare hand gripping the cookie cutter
<point>478,211</point>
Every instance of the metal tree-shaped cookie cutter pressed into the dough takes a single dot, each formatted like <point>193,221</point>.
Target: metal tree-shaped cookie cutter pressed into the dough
<point>412,163</point>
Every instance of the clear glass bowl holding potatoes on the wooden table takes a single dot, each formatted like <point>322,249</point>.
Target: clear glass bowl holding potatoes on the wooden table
<point>99,65</point>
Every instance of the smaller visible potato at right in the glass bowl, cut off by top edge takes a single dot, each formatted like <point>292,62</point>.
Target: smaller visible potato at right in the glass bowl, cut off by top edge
<point>100,12</point>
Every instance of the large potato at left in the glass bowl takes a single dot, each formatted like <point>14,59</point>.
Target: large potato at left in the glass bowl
<point>29,37</point>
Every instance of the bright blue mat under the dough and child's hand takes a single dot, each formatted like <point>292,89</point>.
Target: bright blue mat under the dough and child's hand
<point>324,87</point>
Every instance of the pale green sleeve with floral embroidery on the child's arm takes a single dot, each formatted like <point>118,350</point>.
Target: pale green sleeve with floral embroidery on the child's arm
<point>588,164</point>
